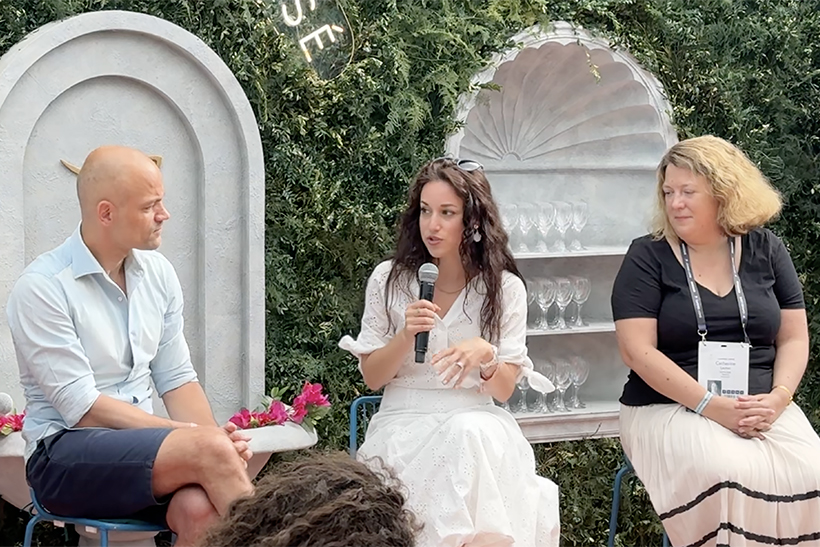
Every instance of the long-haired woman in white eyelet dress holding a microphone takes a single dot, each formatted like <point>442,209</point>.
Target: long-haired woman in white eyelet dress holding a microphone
<point>469,471</point>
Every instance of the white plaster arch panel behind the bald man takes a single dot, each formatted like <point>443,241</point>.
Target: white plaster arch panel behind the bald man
<point>117,77</point>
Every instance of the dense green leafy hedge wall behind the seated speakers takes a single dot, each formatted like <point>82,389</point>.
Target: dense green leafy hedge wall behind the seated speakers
<point>340,153</point>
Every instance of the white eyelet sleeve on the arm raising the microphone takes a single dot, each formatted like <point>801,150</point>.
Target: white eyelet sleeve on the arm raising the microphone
<point>374,333</point>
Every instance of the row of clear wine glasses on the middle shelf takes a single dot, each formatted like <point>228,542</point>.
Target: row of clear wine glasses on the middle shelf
<point>543,292</point>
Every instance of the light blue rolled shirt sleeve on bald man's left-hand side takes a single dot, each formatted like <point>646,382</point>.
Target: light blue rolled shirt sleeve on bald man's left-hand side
<point>47,345</point>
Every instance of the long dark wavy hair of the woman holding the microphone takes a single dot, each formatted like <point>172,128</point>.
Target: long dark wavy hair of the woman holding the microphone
<point>486,259</point>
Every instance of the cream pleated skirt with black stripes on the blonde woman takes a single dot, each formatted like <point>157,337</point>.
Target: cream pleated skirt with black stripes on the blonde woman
<point>711,487</point>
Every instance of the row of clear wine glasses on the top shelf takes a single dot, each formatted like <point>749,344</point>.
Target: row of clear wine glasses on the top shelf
<point>529,225</point>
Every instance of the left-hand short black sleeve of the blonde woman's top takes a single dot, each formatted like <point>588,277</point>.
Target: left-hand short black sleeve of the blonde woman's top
<point>636,292</point>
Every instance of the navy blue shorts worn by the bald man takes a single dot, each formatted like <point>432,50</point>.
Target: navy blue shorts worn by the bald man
<point>98,473</point>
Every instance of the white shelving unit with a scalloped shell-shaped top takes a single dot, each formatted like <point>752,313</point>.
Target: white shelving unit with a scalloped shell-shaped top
<point>553,130</point>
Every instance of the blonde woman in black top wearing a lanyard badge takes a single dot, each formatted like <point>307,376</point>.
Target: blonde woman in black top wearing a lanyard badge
<point>710,303</point>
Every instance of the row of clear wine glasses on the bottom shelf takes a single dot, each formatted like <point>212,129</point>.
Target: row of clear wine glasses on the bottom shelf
<point>564,373</point>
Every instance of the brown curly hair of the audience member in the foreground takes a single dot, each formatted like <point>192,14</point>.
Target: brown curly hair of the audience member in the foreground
<point>323,500</point>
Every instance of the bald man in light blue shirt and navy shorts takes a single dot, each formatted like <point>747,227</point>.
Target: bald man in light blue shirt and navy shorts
<point>93,321</point>
